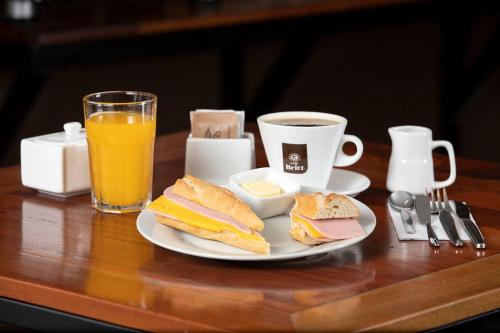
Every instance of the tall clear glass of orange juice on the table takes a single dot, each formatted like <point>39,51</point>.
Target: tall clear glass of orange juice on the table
<point>120,129</point>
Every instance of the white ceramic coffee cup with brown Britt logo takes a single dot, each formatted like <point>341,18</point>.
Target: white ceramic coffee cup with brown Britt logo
<point>307,154</point>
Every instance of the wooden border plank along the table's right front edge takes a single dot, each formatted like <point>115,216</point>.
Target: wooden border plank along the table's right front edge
<point>442,299</point>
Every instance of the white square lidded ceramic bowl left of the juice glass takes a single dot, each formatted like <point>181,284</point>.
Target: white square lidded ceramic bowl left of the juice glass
<point>57,164</point>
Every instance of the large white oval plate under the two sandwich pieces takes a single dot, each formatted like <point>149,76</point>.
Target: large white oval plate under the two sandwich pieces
<point>283,247</point>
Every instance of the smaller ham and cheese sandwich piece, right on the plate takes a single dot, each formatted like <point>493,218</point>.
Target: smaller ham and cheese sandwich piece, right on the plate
<point>317,218</point>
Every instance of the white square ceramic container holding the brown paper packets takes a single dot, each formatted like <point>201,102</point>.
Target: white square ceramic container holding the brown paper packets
<point>215,160</point>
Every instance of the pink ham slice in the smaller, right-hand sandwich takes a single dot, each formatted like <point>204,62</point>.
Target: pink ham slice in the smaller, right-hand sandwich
<point>335,229</point>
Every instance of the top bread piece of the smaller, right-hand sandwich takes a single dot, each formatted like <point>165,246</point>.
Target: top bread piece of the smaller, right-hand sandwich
<point>319,206</point>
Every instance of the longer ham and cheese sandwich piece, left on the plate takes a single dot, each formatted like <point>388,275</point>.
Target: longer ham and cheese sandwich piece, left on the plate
<point>208,211</point>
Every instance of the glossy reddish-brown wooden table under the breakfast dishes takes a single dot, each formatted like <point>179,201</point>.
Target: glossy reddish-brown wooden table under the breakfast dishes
<point>60,254</point>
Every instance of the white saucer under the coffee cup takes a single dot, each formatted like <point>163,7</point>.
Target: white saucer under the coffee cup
<point>343,182</point>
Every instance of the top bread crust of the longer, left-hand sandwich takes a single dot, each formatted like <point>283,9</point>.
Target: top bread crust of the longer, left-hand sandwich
<point>218,199</point>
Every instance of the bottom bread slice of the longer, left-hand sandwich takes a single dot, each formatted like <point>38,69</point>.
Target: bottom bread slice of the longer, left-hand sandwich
<point>258,246</point>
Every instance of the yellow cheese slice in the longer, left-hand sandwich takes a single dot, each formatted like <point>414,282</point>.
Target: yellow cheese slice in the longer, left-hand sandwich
<point>163,205</point>
